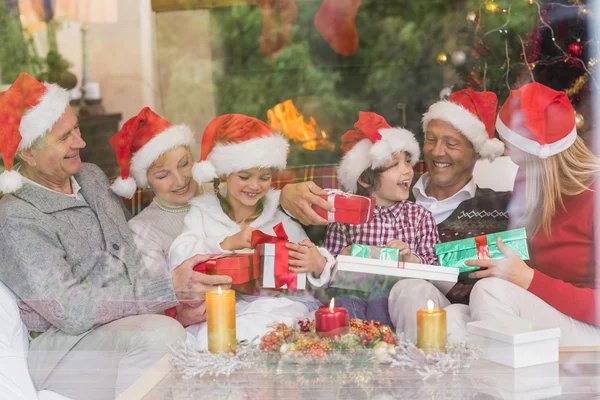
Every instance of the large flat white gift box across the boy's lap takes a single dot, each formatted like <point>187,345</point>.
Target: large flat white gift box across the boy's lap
<point>364,274</point>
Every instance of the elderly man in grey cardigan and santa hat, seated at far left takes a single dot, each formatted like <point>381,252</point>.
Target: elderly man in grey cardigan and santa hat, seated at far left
<point>70,258</point>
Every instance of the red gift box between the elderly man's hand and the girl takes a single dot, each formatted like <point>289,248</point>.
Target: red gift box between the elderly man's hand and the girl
<point>243,269</point>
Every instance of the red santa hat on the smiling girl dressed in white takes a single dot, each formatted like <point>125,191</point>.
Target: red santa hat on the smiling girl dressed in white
<point>235,142</point>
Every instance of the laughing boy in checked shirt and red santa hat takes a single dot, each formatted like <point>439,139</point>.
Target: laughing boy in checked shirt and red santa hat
<point>378,161</point>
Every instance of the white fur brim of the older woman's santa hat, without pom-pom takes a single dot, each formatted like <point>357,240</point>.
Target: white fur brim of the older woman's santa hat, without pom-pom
<point>176,135</point>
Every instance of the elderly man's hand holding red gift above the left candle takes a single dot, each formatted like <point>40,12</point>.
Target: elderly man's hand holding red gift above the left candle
<point>190,286</point>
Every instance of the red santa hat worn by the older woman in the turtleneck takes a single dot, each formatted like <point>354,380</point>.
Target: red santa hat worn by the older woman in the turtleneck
<point>139,143</point>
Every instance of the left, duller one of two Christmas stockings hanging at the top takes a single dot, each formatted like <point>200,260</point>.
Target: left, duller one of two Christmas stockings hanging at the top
<point>278,19</point>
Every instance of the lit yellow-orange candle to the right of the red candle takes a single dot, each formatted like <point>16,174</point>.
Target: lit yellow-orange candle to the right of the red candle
<point>431,328</point>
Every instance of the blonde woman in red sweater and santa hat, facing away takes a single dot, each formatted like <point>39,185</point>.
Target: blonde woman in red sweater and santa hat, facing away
<point>554,201</point>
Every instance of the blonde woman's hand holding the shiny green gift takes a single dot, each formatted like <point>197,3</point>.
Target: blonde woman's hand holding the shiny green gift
<point>510,268</point>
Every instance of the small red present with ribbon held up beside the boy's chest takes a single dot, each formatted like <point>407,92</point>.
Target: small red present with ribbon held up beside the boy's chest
<point>349,208</point>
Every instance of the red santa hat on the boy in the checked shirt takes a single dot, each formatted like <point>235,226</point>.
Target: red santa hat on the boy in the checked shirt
<point>371,145</point>
